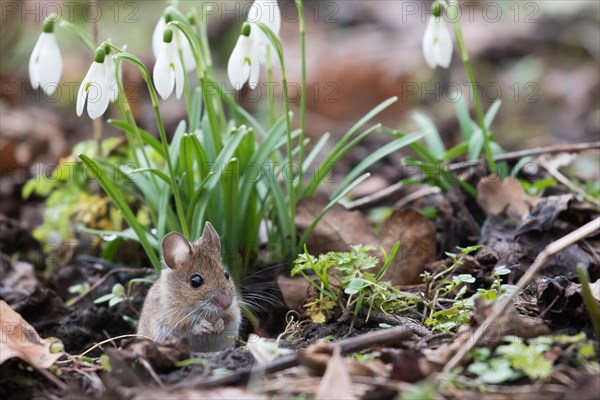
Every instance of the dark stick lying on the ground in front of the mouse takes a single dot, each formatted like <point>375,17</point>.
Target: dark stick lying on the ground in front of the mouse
<point>373,338</point>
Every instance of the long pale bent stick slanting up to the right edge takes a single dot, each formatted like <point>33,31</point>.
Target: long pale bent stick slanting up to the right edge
<point>533,270</point>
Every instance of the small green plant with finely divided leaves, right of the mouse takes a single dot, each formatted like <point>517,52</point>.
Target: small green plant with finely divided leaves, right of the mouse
<point>343,282</point>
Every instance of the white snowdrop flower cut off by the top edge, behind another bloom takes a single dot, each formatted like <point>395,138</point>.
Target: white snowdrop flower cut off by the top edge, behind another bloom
<point>267,12</point>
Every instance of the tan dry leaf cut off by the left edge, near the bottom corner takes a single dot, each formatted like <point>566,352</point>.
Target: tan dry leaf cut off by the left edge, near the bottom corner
<point>19,339</point>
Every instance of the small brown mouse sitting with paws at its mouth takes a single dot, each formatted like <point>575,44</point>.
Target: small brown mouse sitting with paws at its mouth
<point>195,297</point>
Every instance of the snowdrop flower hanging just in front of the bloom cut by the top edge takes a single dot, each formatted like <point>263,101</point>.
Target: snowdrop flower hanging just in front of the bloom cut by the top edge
<point>244,62</point>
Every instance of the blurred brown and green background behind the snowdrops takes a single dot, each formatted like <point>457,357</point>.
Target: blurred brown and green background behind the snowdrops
<point>540,57</point>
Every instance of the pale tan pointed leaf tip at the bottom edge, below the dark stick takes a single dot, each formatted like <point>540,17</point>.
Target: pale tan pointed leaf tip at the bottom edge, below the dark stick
<point>336,383</point>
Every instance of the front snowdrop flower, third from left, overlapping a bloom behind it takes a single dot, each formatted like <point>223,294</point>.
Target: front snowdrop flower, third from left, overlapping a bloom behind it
<point>168,71</point>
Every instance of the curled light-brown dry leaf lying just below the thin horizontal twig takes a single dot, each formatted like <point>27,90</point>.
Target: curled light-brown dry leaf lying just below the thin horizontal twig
<point>497,197</point>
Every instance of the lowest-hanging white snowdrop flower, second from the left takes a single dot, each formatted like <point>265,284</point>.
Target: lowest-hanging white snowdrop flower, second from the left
<point>94,88</point>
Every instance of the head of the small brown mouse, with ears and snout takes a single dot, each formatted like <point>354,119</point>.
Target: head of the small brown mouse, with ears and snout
<point>197,278</point>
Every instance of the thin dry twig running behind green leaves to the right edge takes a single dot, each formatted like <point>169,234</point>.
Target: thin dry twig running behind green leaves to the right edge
<point>393,189</point>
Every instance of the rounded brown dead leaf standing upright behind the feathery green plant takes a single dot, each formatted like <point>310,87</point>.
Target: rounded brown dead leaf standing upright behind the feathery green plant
<point>417,238</point>
